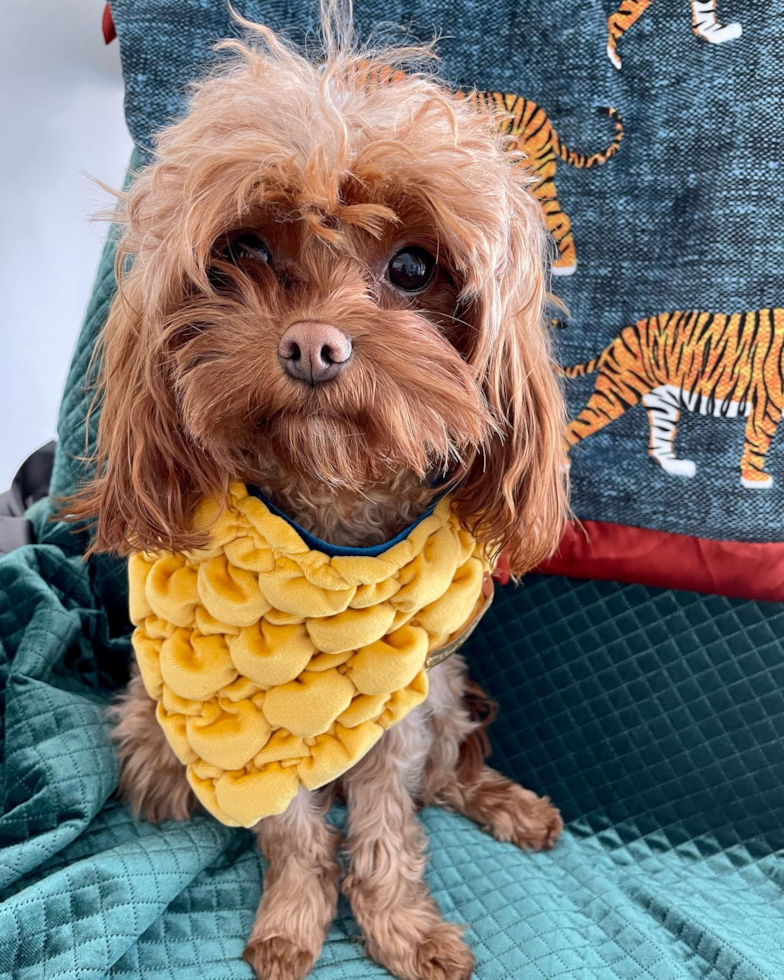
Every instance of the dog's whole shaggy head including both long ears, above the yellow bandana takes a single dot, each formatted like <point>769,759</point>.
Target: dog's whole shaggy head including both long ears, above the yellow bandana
<point>336,278</point>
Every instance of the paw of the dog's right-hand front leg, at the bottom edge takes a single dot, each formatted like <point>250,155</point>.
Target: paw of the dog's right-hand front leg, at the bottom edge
<point>438,953</point>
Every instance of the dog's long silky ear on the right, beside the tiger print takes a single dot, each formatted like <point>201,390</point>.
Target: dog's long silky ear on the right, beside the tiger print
<point>515,493</point>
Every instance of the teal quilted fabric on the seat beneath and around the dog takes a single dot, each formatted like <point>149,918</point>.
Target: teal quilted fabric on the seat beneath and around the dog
<point>655,719</point>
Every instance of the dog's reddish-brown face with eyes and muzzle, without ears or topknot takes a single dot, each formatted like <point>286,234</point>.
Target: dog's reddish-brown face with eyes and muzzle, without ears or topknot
<point>332,345</point>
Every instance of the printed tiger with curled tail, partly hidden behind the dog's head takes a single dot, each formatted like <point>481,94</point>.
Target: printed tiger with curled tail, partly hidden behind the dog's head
<point>532,133</point>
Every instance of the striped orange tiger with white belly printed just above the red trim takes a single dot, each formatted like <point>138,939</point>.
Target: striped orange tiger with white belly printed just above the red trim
<point>725,365</point>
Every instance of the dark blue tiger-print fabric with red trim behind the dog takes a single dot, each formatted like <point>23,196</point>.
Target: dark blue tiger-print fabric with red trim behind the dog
<point>653,131</point>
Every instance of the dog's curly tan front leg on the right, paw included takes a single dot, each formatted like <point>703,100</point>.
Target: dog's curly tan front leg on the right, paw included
<point>385,845</point>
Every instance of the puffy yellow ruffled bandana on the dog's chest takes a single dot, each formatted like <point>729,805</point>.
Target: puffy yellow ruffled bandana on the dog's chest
<point>275,665</point>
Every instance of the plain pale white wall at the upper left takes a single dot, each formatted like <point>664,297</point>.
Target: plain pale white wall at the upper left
<point>61,120</point>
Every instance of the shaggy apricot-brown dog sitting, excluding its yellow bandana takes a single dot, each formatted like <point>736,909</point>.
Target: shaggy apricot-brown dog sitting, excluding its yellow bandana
<point>331,286</point>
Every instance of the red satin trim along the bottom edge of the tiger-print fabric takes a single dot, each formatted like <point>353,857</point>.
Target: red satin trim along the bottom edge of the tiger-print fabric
<point>621,553</point>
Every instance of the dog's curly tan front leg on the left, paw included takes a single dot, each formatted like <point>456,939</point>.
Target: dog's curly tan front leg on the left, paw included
<point>300,889</point>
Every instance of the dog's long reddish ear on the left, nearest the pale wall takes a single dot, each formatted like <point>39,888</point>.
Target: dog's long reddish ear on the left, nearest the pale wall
<point>147,473</point>
